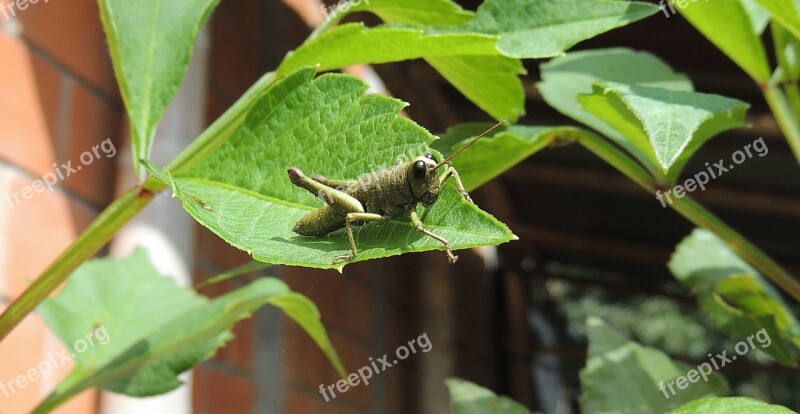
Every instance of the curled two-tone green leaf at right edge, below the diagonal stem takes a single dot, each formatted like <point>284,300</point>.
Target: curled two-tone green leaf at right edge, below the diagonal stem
<point>738,300</point>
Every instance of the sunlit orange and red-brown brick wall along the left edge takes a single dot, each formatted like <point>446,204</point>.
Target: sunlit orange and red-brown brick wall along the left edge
<point>58,98</point>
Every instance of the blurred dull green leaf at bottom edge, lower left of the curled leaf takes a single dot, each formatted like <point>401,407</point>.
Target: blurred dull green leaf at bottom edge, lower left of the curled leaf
<point>622,376</point>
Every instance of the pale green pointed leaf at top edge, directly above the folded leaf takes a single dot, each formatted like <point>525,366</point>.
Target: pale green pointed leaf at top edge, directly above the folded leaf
<point>547,28</point>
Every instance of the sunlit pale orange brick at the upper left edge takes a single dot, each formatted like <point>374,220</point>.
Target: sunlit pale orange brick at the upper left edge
<point>24,139</point>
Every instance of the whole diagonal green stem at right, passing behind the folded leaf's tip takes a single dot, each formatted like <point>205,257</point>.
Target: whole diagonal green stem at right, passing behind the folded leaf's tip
<point>695,213</point>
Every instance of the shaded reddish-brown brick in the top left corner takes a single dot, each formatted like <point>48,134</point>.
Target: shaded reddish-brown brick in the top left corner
<point>72,33</point>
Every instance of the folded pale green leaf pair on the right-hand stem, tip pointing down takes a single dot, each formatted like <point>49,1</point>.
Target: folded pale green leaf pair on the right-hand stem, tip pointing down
<point>641,103</point>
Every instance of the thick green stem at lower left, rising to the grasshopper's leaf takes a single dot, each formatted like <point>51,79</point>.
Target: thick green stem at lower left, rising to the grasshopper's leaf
<point>92,240</point>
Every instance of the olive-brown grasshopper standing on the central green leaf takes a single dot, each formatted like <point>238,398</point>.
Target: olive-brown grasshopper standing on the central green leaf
<point>393,191</point>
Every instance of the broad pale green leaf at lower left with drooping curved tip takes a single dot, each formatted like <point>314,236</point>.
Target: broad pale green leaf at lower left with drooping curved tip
<point>146,330</point>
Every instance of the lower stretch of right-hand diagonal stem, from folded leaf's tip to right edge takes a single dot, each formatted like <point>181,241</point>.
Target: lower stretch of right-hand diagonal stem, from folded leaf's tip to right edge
<point>698,215</point>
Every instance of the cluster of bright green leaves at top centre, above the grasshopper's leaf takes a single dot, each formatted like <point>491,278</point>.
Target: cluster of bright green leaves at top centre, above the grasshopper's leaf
<point>479,55</point>
